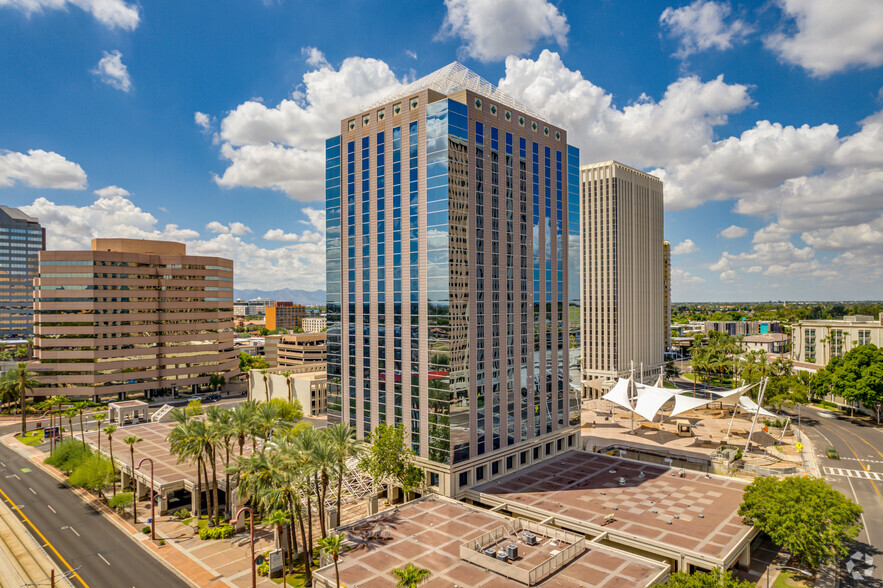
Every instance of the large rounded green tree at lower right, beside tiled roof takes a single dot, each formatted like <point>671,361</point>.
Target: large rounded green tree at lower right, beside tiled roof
<point>804,515</point>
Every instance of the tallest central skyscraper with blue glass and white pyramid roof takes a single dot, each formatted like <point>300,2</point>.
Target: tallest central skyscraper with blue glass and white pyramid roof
<point>452,243</point>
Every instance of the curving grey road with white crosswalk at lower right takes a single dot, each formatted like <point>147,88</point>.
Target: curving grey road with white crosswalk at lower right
<point>858,474</point>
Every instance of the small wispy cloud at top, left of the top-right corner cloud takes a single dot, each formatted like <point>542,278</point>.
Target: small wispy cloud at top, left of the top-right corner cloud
<point>703,25</point>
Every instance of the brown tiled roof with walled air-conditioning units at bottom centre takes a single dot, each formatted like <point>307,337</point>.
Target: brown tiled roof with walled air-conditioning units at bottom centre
<point>438,534</point>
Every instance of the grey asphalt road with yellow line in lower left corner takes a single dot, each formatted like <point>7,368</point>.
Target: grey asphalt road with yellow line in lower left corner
<point>74,534</point>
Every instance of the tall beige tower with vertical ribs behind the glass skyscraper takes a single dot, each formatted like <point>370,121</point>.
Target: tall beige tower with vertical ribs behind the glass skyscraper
<point>622,274</point>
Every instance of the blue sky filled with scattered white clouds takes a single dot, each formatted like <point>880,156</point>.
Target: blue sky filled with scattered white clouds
<point>204,121</point>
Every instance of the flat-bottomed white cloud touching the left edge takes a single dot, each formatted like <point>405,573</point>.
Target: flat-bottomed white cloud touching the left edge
<point>40,169</point>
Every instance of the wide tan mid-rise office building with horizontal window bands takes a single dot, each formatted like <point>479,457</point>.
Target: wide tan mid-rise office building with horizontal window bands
<point>132,316</point>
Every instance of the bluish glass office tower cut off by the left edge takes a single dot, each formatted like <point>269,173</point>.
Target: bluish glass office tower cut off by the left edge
<point>21,240</point>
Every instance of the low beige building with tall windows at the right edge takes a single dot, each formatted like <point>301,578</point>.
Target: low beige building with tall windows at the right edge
<point>817,341</point>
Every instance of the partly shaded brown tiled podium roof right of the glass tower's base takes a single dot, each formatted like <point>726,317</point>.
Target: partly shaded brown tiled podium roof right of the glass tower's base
<point>692,514</point>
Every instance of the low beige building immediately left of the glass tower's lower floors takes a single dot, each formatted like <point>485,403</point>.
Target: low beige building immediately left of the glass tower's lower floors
<point>306,384</point>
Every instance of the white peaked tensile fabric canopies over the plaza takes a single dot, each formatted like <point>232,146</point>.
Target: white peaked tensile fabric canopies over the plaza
<point>647,401</point>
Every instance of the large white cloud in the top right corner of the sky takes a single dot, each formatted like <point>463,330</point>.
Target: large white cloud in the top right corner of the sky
<point>828,37</point>
